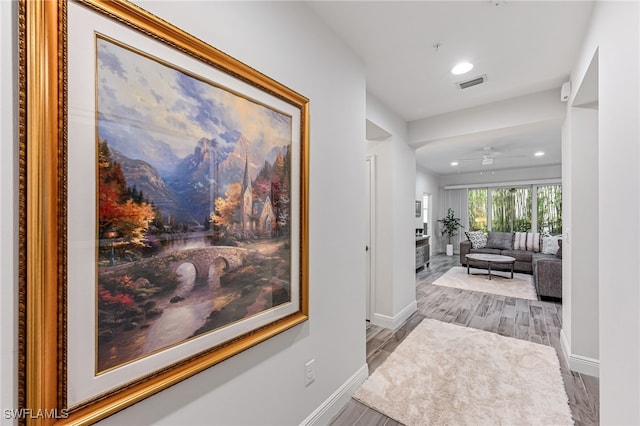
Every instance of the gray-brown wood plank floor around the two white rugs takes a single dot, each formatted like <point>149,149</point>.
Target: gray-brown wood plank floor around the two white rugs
<point>535,321</point>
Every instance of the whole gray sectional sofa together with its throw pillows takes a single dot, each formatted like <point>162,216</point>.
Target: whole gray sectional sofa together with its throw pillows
<point>535,254</point>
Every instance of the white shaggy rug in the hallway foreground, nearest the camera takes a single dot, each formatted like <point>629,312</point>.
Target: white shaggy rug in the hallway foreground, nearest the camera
<point>445,374</point>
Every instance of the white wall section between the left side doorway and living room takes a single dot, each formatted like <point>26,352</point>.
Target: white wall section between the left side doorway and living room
<point>395,248</point>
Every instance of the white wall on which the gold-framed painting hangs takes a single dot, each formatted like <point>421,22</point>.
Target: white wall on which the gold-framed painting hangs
<point>263,385</point>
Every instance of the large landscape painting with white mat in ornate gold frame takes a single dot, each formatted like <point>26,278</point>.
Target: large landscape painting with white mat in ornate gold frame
<point>163,208</point>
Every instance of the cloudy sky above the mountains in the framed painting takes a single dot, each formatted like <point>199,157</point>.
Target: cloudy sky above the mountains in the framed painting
<point>144,102</point>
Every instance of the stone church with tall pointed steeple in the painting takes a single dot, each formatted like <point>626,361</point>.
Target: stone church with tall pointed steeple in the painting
<point>256,216</point>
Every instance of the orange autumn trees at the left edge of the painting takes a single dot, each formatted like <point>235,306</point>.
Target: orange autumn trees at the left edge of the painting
<point>120,209</point>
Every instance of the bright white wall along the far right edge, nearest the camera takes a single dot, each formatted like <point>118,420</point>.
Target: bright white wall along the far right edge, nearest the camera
<point>614,33</point>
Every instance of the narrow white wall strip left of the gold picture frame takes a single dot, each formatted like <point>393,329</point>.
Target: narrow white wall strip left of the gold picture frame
<point>8,207</point>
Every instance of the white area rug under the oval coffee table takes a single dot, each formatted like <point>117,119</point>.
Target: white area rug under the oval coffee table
<point>521,286</point>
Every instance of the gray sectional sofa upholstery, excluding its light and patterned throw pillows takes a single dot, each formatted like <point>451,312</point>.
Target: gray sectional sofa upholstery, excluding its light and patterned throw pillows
<point>545,268</point>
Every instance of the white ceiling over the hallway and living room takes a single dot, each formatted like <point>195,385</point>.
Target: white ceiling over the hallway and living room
<point>409,48</point>
